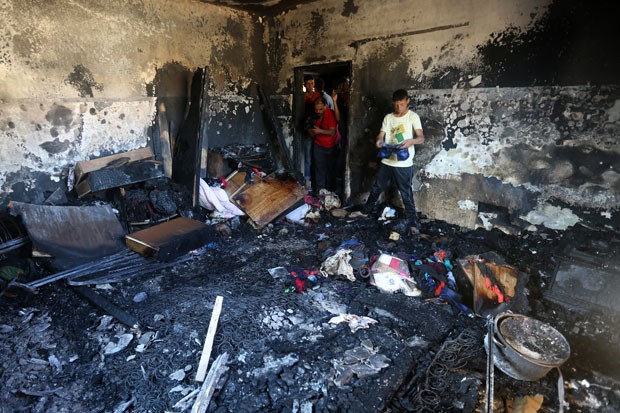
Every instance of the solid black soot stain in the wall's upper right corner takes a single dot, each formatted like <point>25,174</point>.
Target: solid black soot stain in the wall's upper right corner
<point>570,45</point>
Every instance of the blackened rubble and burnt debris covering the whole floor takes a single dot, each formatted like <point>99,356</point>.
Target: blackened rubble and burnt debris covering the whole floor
<point>292,339</point>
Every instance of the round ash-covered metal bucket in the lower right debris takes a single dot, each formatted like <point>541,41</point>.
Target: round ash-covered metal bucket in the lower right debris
<point>525,348</point>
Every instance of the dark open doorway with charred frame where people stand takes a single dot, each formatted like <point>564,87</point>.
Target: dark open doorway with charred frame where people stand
<point>335,76</point>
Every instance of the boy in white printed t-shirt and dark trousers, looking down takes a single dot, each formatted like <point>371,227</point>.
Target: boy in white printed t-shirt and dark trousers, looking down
<point>400,131</point>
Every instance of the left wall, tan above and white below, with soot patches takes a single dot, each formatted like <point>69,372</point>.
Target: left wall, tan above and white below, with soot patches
<point>83,79</point>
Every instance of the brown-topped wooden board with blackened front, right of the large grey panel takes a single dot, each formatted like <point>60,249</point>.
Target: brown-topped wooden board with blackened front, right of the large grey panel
<point>170,239</point>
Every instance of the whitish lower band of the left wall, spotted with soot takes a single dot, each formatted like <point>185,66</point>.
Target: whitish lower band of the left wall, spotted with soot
<point>112,127</point>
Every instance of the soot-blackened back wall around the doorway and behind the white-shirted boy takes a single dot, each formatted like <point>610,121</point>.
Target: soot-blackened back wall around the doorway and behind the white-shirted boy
<point>519,100</point>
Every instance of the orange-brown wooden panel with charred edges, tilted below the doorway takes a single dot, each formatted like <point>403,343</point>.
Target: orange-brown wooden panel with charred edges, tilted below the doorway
<point>266,200</point>
